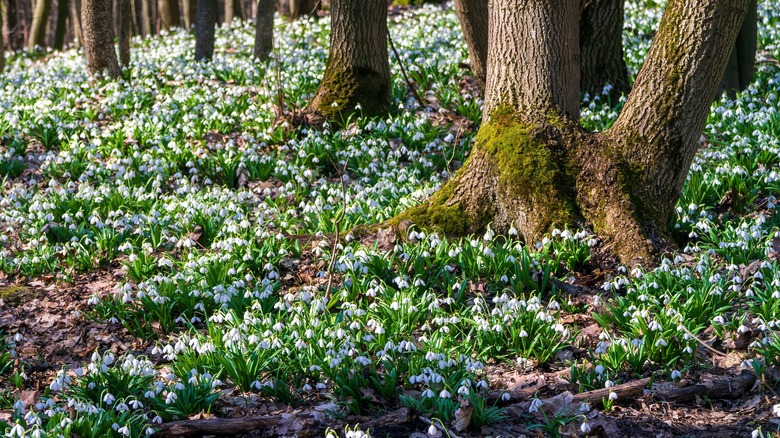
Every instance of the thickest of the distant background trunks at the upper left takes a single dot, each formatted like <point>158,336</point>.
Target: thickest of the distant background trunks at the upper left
<point>98,32</point>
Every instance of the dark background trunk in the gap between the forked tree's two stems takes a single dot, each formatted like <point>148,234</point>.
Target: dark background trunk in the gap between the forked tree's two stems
<point>601,47</point>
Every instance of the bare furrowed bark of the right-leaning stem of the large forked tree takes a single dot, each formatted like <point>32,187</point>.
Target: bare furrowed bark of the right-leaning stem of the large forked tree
<point>657,133</point>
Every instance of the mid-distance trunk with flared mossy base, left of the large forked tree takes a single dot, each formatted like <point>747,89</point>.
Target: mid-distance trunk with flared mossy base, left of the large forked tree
<point>357,71</point>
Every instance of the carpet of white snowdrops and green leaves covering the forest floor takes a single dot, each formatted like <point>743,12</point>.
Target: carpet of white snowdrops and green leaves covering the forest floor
<point>183,218</point>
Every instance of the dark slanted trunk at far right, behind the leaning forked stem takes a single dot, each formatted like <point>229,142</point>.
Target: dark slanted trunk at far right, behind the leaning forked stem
<point>739,72</point>
